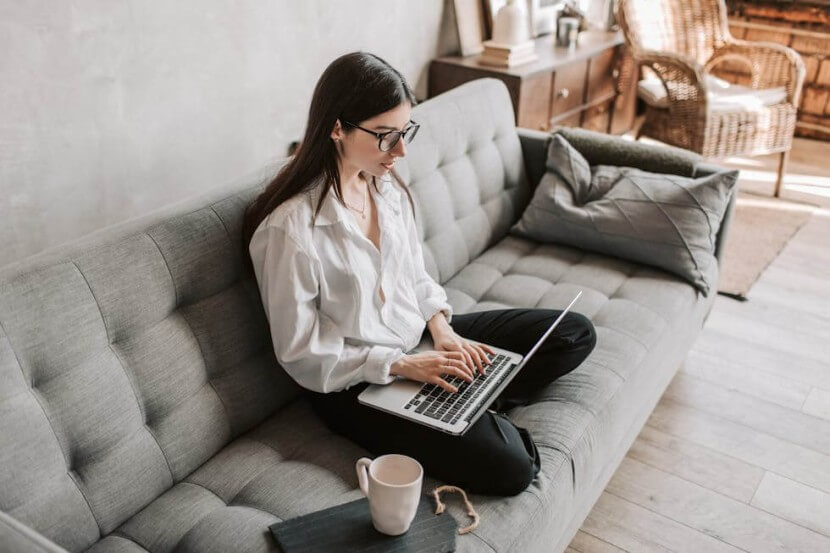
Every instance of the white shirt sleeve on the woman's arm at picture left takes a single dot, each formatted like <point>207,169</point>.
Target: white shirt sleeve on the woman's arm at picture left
<point>306,342</point>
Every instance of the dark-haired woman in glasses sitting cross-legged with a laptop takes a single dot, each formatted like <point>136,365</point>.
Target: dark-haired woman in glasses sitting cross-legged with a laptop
<point>338,260</point>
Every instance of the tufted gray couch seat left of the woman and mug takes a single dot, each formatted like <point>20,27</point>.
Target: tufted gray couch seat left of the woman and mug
<point>290,465</point>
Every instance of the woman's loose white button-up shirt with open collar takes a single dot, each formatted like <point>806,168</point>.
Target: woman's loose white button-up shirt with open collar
<point>320,286</point>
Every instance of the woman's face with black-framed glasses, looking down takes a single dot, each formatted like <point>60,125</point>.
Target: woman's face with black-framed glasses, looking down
<point>360,148</point>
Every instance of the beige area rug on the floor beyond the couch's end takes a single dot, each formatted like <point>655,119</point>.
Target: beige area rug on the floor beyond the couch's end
<point>761,227</point>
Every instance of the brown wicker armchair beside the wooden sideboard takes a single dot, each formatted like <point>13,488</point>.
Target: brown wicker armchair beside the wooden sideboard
<point>681,41</point>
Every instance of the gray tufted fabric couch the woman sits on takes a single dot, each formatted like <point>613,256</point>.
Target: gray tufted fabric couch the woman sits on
<point>142,409</point>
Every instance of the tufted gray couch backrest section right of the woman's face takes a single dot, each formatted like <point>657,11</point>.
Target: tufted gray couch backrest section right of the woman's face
<point>466,172</point>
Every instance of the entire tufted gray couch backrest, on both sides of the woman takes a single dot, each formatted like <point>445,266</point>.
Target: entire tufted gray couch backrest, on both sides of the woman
<point>130,357</point>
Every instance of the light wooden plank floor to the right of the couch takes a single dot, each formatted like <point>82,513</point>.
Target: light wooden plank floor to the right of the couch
<point>736,456</point>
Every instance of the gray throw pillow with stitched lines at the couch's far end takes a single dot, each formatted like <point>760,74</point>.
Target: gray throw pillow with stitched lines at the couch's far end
<point>667,221</point>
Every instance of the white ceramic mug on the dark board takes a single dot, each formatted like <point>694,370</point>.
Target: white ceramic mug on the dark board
<point>392,483</point>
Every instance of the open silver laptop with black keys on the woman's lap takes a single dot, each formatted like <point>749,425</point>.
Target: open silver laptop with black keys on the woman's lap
<point>453,413</point>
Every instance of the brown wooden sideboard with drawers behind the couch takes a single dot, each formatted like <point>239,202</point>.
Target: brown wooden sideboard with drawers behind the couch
<point>577,87</point>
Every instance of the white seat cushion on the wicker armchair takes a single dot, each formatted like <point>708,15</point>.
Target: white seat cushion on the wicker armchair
<point>722,95</point>
